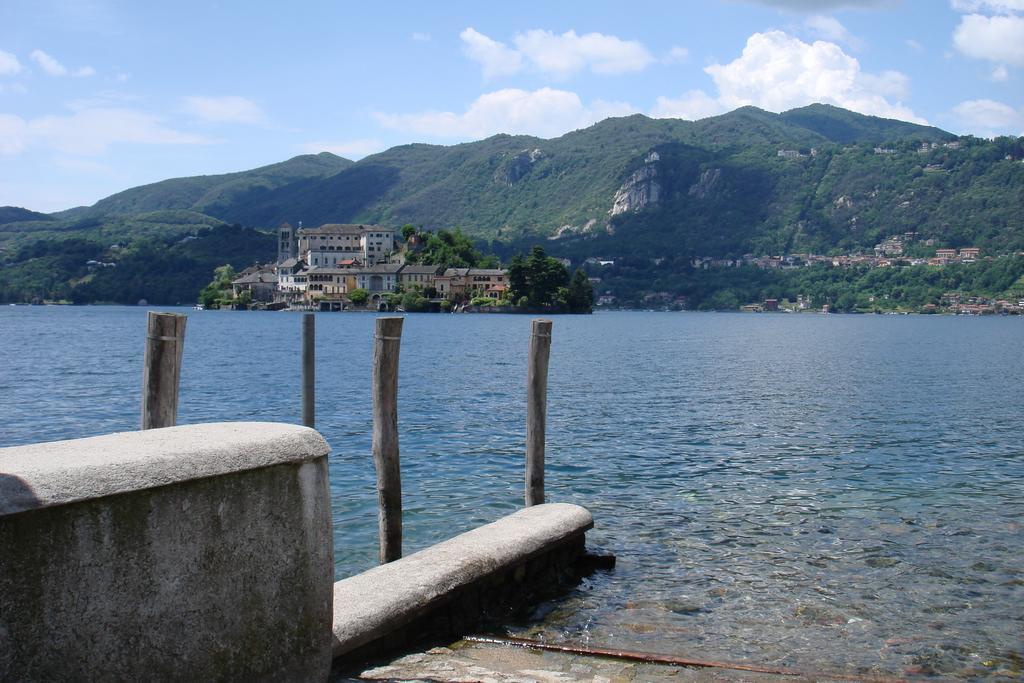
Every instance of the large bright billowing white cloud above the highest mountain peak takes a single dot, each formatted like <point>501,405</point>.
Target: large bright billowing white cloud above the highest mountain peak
<point>778,72</point>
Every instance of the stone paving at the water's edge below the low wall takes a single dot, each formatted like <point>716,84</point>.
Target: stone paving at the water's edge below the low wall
<point>496,664</point>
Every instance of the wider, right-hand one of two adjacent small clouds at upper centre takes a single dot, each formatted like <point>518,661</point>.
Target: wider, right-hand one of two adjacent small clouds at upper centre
<point>569,54</point>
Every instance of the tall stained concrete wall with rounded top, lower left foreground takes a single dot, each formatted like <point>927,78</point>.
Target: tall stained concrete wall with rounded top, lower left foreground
<point>191,553</point>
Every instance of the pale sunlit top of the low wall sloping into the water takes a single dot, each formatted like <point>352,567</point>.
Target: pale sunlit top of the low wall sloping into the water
<point>376,604</point>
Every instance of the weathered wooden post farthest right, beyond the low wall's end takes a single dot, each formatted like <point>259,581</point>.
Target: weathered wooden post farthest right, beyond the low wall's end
<point>537,409</point>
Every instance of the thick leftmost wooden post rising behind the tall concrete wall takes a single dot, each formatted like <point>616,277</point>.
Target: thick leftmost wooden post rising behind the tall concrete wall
<point>165,340</point>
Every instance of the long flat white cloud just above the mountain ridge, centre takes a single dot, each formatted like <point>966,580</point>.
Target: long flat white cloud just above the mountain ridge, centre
<point>545,113</point>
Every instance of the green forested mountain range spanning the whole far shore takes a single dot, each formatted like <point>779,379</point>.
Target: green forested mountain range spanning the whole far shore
<point>636,190</point>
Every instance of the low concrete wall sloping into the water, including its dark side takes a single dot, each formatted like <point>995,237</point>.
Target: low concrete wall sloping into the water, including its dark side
<point>446,591</point>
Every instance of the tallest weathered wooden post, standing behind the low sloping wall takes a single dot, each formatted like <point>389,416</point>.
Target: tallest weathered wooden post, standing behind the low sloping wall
<point>388,343</point>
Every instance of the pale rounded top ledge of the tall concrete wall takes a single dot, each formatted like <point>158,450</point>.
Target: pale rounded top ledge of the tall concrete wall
<point>44,476</point>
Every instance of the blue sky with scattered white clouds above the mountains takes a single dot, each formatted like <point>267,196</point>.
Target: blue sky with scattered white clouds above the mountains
<point>101,96</point>
